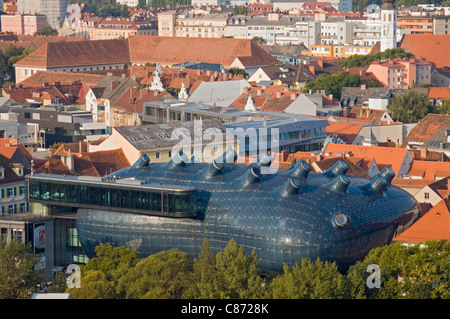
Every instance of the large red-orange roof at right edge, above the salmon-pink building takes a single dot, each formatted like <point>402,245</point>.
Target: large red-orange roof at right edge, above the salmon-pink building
<point>434,48</point>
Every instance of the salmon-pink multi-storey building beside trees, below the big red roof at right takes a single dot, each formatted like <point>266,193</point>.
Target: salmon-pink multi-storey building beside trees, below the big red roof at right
<point>401,73</point>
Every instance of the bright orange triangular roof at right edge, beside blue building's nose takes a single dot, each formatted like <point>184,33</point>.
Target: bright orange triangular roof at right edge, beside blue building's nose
<point>434,225</point>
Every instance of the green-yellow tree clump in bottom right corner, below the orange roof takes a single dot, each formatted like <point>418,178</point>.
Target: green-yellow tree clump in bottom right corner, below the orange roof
<point>415,272</point>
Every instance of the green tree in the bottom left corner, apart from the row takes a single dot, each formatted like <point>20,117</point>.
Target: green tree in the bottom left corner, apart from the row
<point>18,277</point>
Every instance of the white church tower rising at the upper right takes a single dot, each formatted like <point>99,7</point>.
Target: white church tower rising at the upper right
<point>388,25</point>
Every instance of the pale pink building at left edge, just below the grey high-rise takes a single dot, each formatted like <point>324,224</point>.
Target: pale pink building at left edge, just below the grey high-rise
<point>23,24</point>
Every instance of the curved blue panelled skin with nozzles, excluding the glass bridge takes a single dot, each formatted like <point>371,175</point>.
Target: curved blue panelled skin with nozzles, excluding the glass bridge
<point>284,217</point>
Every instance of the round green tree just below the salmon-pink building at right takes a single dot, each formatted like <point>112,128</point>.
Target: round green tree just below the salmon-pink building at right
<point>410,107</point>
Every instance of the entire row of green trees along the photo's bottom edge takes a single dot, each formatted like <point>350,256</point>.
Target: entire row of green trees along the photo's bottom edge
<point>390,272</point>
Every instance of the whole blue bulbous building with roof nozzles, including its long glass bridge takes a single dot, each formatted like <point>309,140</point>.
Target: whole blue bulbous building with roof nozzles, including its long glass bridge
<point>284,215</point>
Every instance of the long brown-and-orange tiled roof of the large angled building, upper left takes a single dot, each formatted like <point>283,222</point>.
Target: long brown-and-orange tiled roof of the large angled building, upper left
<point>143,49</point>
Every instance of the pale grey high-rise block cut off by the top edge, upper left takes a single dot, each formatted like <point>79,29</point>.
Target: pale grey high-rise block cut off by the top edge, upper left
<point>55,10</point>
